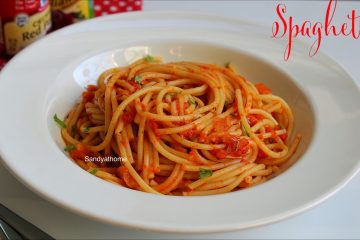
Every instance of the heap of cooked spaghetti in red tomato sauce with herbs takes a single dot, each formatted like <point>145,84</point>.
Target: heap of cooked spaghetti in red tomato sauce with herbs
<point>181,128</point>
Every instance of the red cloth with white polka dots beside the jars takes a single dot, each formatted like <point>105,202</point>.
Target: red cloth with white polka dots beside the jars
<point>105,7</point>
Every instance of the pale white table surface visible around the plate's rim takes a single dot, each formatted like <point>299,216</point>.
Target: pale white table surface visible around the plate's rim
<point>338,217</point>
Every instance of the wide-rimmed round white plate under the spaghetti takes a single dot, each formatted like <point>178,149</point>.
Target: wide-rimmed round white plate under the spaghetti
<point>48,77</point>
